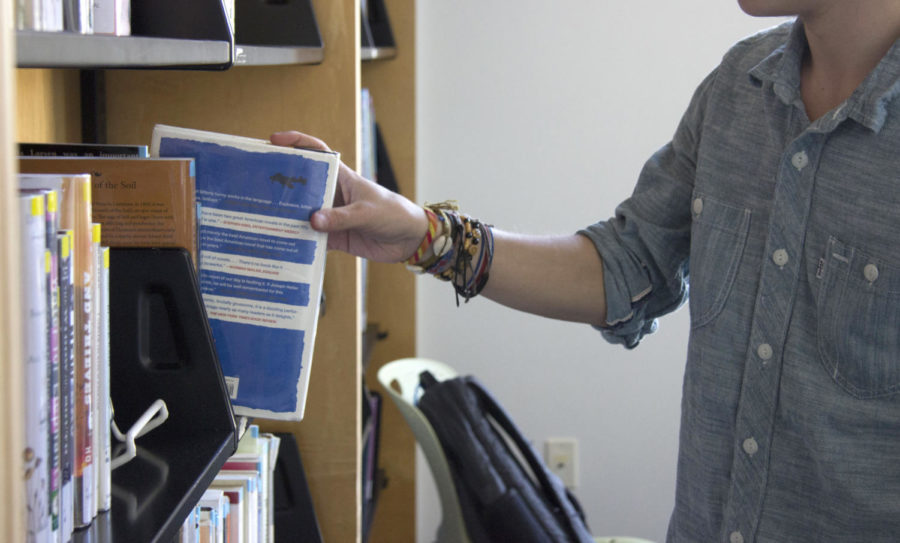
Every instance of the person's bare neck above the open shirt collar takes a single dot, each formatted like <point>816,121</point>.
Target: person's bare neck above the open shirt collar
<point>846,40</point>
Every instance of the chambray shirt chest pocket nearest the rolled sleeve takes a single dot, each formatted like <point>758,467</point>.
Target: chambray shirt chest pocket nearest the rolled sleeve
<point>718,237</point>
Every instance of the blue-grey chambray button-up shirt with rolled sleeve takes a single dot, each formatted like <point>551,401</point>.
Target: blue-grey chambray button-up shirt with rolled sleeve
<point>788,233</point>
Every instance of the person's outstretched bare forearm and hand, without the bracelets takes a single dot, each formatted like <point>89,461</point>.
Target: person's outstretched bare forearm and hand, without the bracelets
<point>559,277</point>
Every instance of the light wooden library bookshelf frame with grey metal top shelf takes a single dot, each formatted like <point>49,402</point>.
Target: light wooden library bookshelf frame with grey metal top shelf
<point>268,88</point>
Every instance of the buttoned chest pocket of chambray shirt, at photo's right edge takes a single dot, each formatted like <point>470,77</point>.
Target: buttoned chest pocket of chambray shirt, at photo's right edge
<point>859,320</point>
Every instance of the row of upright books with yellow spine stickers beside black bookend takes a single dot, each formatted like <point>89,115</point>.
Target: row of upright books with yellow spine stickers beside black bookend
<point>65,286</point>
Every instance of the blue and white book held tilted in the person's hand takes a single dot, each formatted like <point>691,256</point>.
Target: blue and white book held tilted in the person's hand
<point>261,263</point>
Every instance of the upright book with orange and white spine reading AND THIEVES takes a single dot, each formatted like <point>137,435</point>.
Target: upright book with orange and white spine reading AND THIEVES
<point>75,215</point>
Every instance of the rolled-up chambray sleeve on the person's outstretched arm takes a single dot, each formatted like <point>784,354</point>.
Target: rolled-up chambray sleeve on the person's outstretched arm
<point>645,246</point>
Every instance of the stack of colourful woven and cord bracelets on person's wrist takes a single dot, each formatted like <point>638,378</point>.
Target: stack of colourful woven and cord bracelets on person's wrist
<point>462,249</point>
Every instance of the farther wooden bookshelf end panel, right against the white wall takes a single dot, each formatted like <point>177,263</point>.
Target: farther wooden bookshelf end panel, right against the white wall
<point>391,288</point>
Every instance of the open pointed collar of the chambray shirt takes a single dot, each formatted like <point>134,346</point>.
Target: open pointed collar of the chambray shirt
<point>868,105</point>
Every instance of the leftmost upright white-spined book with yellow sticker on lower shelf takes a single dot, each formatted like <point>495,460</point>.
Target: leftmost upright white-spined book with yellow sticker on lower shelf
<point>33,288</point>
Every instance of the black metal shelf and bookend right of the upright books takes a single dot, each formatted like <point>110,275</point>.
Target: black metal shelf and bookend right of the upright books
<point>161,347</point>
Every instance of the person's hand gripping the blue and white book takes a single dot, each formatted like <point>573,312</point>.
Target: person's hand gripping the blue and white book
<point>367,220</point>
